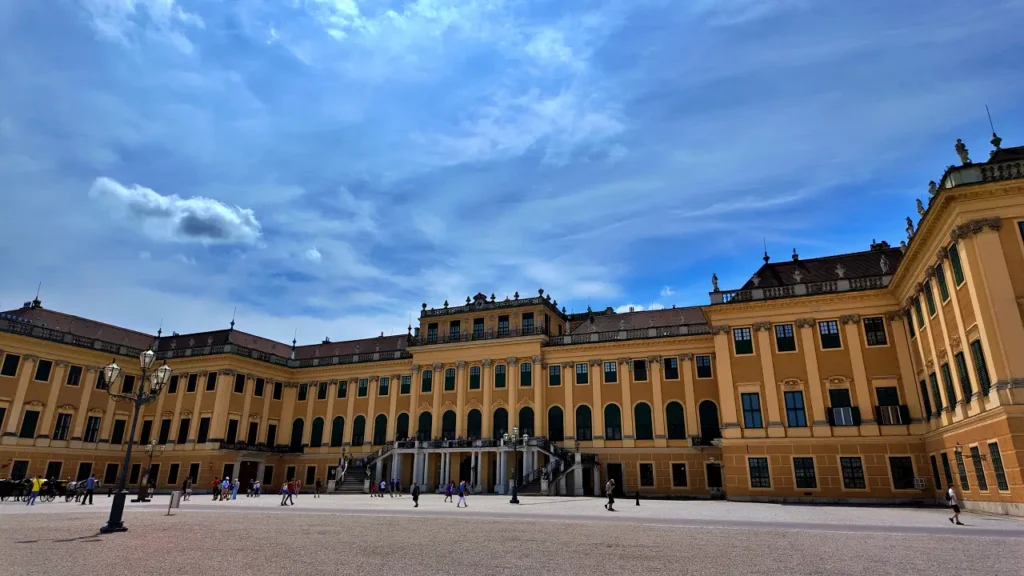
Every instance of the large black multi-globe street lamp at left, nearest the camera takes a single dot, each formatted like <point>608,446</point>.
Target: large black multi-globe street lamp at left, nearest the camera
<point>150,386</point>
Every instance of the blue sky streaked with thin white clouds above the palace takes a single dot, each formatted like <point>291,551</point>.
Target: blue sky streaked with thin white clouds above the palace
<point>321,169</point>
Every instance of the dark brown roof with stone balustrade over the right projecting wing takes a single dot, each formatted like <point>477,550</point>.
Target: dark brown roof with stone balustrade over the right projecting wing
<point>857,265</point>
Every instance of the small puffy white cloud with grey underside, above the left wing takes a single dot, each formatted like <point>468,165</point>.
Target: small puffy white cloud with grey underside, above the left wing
<point>174,219</point>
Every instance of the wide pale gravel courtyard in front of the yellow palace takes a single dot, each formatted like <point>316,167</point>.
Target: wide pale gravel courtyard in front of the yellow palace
<point>364,536</point>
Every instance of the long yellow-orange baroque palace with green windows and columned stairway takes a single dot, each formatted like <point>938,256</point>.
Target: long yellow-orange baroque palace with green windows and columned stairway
<point>883,376</point>
